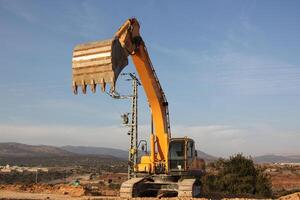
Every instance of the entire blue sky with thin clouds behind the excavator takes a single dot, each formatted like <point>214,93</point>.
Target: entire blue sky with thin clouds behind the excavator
<point>230,70</point>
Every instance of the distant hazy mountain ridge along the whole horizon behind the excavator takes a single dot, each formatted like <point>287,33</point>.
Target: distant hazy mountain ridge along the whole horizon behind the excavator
<point>15,149</point>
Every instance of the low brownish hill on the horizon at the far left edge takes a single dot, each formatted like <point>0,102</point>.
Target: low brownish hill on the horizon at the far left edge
<point>12,149</point>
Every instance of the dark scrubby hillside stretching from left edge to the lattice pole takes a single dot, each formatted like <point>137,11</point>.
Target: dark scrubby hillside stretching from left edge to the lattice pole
<point>50,156</point>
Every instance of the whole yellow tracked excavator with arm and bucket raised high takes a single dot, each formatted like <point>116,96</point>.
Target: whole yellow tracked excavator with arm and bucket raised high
<point>172,168</point>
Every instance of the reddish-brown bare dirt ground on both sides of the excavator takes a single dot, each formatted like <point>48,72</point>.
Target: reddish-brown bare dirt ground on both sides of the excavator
<point>106,186</point>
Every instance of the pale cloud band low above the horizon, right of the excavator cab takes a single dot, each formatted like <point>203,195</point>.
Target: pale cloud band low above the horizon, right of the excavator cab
<point>225,140</point>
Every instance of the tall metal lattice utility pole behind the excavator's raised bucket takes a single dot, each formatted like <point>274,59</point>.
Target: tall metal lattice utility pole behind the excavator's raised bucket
<point>133,132</point>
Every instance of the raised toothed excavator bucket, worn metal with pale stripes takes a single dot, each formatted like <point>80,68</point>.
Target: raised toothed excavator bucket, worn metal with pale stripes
<point>97,62</point>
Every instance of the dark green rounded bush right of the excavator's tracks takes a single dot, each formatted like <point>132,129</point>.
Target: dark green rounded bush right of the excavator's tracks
<point>236,176</point>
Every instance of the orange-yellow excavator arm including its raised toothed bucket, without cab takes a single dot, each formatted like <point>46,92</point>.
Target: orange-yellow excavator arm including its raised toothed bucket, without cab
<point>101,62</point>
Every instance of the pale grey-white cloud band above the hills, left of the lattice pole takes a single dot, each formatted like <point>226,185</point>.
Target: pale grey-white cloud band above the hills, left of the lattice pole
<point>65,135</point>
